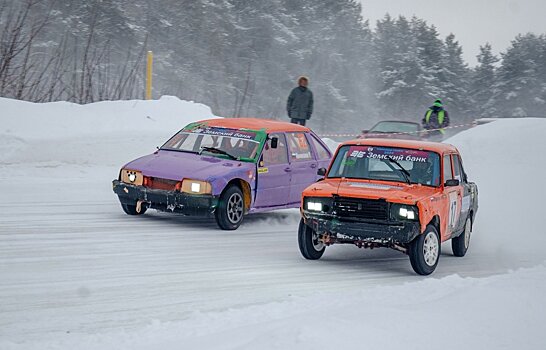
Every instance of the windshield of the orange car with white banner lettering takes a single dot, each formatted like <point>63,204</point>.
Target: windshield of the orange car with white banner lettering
<point>378,163</point>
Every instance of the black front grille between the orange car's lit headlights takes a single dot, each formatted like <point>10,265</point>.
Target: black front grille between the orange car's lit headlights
<point>361,208</point>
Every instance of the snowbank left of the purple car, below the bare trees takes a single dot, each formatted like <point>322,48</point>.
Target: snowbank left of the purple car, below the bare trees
<point>98,134</point>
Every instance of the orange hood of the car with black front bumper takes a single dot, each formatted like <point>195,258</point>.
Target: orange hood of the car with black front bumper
<point>390,191</point>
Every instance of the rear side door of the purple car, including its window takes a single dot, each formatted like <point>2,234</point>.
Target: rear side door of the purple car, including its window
<point>303,164</point>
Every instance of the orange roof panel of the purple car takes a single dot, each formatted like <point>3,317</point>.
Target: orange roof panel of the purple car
<point>255,124</point>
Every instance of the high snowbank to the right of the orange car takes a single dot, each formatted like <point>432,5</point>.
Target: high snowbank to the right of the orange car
<point>506,159</point>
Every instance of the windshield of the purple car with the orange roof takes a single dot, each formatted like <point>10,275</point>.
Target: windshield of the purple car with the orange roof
<point>220,142</point>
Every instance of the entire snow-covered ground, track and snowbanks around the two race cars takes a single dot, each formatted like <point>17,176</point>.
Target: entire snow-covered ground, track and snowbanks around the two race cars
<point>77,273</point>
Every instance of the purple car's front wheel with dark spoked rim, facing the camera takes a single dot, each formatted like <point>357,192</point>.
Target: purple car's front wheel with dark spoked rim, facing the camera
<point>230,210</point>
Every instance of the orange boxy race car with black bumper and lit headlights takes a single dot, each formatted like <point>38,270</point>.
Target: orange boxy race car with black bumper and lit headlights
<point>401,194</point>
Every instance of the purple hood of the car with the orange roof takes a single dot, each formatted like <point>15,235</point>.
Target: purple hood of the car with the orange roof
<point>174,165</point>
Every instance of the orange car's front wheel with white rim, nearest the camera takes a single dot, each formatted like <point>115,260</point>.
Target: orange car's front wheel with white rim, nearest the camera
<point>424,263</point>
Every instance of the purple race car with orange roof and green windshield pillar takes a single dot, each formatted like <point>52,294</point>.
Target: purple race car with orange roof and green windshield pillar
<point>225,168</point>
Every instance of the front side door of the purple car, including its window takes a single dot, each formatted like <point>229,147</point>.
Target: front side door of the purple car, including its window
<point>273,178</point>
